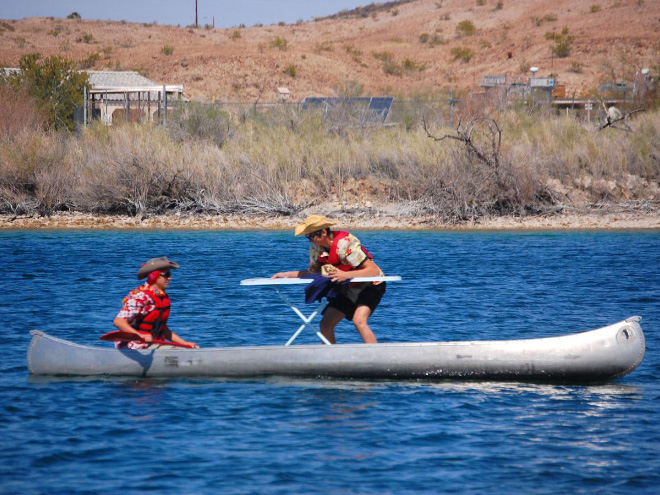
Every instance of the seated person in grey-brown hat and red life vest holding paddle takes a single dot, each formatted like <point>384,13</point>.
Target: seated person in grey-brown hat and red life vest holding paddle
<point>146,309</point>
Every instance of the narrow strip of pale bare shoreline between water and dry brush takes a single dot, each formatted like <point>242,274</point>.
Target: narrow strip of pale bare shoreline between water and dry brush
<point>609,219</point>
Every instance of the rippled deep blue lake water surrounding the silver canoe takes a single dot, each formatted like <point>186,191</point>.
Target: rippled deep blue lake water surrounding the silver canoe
<point>282,436</point>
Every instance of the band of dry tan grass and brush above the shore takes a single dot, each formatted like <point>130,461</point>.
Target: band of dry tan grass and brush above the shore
<point>280,164</point>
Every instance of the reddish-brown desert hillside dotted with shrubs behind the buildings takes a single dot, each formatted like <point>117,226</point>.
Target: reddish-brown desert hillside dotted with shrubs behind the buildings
<point>399,48</point>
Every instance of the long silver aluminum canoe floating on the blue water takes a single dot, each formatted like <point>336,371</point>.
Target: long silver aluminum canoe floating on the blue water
<point>597,355</point>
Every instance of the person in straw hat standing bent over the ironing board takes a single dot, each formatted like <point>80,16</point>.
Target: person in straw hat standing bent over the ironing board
<point>340,256</point>
